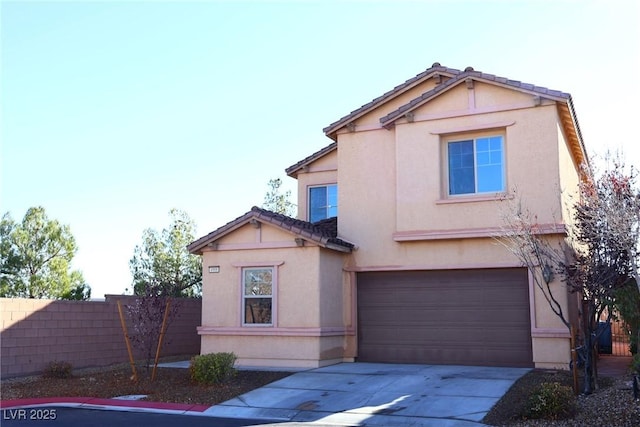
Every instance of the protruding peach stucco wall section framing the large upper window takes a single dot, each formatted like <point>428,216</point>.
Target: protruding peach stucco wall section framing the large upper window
<point>422,201</point>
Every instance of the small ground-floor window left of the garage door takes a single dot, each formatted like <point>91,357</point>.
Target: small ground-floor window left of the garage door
<point>257,287</point>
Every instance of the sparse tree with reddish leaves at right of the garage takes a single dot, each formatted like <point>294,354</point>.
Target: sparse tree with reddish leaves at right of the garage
<point>596,259</point>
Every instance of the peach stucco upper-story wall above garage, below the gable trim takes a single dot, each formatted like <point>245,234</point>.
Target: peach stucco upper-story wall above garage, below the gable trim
<point>402,170</point>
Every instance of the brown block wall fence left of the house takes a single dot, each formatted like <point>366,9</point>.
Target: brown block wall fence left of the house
<point>83,333</point>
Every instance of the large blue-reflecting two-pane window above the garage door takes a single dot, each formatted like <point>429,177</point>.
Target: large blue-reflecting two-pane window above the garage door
<point>476,165</point>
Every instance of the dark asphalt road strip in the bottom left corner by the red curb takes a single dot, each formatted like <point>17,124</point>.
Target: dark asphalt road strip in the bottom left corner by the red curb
<point>74,417</point>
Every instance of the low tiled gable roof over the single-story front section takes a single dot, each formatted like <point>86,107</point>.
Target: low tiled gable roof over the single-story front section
<point>323,233</point>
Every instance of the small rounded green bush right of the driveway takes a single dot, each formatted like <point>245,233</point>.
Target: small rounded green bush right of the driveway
<point>551,400</point>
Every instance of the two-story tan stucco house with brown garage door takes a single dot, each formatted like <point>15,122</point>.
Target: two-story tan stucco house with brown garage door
<point>393,257</point>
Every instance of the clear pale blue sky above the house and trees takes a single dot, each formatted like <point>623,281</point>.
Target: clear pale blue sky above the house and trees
<point>115,112</point>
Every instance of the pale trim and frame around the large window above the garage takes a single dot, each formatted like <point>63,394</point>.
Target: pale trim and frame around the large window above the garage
<point>473,136</point>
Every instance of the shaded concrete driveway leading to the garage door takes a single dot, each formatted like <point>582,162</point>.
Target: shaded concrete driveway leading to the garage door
<point>377,394</point>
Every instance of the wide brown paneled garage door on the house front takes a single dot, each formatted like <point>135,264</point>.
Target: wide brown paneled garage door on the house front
<point>468,317</point>
